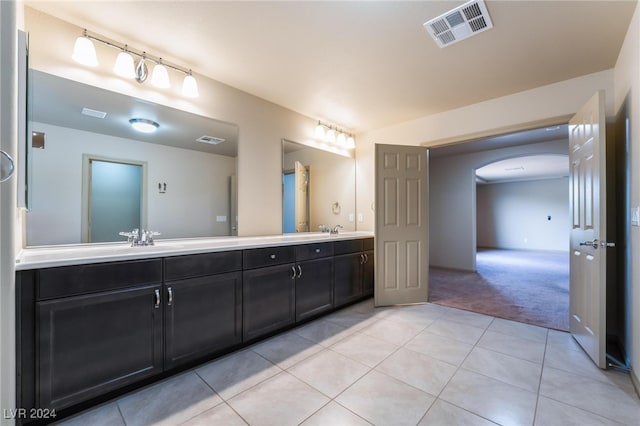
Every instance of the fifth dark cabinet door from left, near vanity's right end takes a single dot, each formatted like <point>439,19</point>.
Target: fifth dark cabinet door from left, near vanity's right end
<point>347,278</point>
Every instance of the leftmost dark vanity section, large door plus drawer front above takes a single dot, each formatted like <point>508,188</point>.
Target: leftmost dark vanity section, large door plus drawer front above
<point>90,342</point>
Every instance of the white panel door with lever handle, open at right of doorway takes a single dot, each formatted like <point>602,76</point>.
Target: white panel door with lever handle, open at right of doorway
<point>587,188</point>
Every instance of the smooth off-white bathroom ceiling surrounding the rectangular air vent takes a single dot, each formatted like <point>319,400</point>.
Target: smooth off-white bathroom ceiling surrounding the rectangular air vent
<point>363,65</point>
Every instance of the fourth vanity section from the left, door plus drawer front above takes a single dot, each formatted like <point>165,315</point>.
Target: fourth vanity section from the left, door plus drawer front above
<point>314,280</point>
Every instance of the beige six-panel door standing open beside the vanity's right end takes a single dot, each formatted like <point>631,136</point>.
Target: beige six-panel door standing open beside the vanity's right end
<point>402,247</point>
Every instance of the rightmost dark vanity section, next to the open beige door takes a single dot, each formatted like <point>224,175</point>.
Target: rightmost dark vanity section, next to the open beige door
<point>353,270</point>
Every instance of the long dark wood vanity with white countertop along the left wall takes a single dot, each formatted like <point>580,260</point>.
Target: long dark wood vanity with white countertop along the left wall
<point>95,321</point>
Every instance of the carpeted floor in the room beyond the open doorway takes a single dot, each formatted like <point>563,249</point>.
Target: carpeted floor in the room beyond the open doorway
<point>525,286</point>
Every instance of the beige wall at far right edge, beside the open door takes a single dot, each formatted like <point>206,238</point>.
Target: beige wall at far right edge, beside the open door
<point>627,82</point>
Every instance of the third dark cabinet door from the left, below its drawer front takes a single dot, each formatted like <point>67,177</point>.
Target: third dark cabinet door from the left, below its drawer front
<point>268,297</point>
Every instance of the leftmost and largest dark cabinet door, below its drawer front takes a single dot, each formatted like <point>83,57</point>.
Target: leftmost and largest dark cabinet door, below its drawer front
<point>91,344</point>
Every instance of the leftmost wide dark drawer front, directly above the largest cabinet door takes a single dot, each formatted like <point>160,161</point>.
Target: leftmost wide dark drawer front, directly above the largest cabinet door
<point>83,279</point>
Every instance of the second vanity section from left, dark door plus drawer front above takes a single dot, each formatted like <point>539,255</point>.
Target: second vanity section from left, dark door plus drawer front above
<point>202,305</point>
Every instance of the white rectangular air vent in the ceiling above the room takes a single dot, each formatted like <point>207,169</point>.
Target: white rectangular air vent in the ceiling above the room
<point>462,22</point>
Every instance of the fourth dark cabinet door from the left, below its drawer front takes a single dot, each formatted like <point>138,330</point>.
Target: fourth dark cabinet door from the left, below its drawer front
<point>314,288</point>
